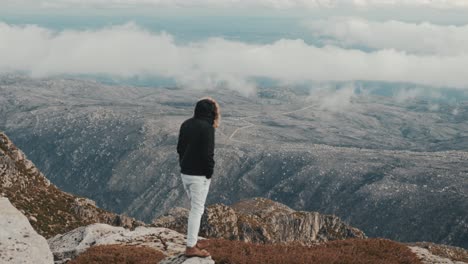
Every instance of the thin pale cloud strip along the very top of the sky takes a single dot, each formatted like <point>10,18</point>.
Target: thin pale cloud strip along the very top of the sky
<point>278,4</point>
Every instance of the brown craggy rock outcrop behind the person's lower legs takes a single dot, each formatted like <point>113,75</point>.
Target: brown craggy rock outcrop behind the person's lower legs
<point>264,221</point>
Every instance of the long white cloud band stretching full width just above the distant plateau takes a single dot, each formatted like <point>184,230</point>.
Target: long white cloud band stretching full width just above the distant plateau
<point>128,50</point>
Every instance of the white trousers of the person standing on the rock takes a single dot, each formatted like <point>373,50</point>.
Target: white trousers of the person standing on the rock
<point>197,189</point>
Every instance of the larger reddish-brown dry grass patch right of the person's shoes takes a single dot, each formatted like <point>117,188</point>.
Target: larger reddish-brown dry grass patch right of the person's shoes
<point>364,251</point>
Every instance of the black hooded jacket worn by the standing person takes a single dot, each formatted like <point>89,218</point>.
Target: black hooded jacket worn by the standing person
<point>196,141</point>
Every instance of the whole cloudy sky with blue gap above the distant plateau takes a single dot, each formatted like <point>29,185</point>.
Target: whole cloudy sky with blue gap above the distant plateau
<point>233,43</point>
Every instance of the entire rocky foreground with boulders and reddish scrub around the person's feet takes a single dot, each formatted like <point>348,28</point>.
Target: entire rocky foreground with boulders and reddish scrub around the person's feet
<point>253,220</point>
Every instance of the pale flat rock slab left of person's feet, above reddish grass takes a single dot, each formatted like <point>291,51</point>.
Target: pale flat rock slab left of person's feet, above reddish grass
<point>68,246</point>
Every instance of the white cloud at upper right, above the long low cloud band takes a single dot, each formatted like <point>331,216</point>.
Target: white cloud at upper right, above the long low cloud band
<point>422,38</point>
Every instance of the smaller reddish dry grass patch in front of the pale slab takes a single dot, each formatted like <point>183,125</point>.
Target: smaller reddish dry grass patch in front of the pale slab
<point>118,254</point>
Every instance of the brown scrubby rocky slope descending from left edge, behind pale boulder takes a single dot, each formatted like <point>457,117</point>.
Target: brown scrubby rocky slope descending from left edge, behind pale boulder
<point>49,210</point>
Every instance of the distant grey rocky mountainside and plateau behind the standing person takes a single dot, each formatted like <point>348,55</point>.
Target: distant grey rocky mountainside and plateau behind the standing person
<point>392,168</point>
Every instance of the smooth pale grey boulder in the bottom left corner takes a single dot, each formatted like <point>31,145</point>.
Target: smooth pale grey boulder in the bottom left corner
<point>19,243</point>
